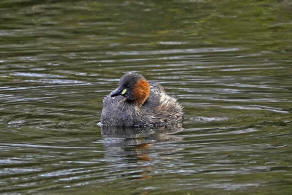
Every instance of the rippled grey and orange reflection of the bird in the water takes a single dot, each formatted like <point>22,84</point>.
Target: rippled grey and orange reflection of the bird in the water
<point>129,149</point>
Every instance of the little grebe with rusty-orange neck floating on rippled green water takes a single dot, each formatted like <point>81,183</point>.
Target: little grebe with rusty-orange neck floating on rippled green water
<point>137,102</point>
